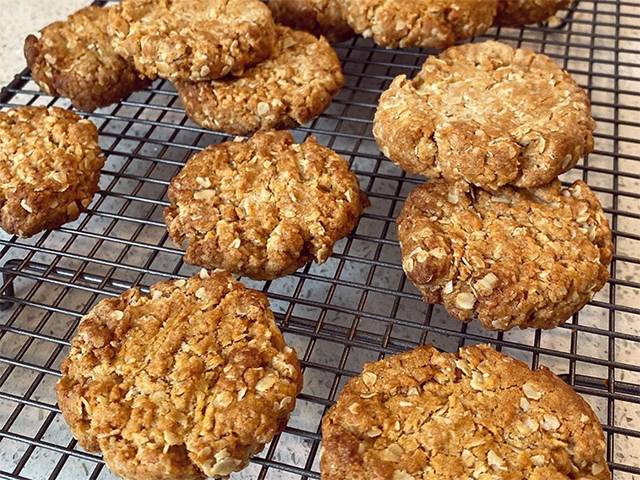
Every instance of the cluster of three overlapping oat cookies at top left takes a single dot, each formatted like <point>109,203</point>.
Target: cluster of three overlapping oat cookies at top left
<point>236,71</point>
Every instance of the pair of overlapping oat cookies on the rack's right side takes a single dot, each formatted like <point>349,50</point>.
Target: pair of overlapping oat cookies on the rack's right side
<point>494,235</point>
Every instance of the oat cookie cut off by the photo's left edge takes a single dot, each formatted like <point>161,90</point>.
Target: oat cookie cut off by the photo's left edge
<point>50,165</point>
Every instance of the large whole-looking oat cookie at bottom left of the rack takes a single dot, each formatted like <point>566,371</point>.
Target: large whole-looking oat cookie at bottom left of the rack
<point>186,382</point>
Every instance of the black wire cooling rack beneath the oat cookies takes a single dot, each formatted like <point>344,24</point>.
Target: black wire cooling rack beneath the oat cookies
<point>355,308</point>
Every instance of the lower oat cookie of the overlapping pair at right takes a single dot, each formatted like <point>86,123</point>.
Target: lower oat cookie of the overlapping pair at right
<point>514,258</point>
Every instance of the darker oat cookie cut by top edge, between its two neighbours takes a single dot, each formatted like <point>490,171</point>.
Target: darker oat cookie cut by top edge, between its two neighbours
<point>320,17</point>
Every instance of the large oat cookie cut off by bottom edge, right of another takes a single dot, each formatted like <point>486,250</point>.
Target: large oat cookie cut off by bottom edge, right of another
<point>427,415</point>
